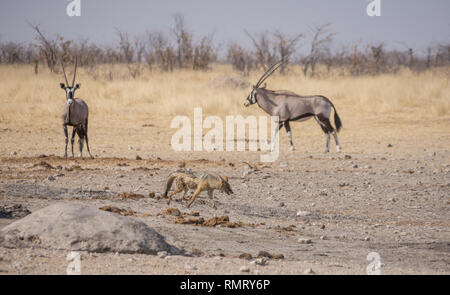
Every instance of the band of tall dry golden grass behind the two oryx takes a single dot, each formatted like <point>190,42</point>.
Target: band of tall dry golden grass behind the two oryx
<point>37,100</point>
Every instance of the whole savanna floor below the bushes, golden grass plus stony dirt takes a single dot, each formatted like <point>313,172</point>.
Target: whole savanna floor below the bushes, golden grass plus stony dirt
<point>387,192</point>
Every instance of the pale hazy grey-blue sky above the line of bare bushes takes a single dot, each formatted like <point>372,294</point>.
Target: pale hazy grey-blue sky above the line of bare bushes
<point>414,22</point>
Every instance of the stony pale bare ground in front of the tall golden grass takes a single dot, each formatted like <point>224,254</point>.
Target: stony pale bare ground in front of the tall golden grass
<point>387,192</point>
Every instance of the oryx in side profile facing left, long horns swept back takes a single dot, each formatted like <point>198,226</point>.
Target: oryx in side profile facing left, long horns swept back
<point>289,106</point>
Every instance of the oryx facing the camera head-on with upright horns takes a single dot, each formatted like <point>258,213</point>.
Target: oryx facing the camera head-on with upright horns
<point>75,113</point>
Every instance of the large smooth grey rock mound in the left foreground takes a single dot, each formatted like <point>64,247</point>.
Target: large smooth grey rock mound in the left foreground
<point>78,227</point>
